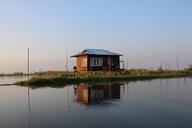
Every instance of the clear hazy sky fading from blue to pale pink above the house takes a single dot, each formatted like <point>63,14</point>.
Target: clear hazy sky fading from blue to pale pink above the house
<point>147,32</point>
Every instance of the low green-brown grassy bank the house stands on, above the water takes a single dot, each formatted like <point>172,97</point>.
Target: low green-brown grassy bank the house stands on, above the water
<point>61,78</point>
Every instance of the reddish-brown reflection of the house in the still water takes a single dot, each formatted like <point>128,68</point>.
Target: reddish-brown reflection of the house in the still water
<point>96,93</point>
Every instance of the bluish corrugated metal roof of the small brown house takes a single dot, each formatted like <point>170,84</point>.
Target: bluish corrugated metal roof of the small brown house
<point>97,52</point>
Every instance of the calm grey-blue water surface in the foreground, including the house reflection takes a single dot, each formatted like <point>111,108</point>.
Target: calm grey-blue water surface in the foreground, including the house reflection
<point>150,104</point>
